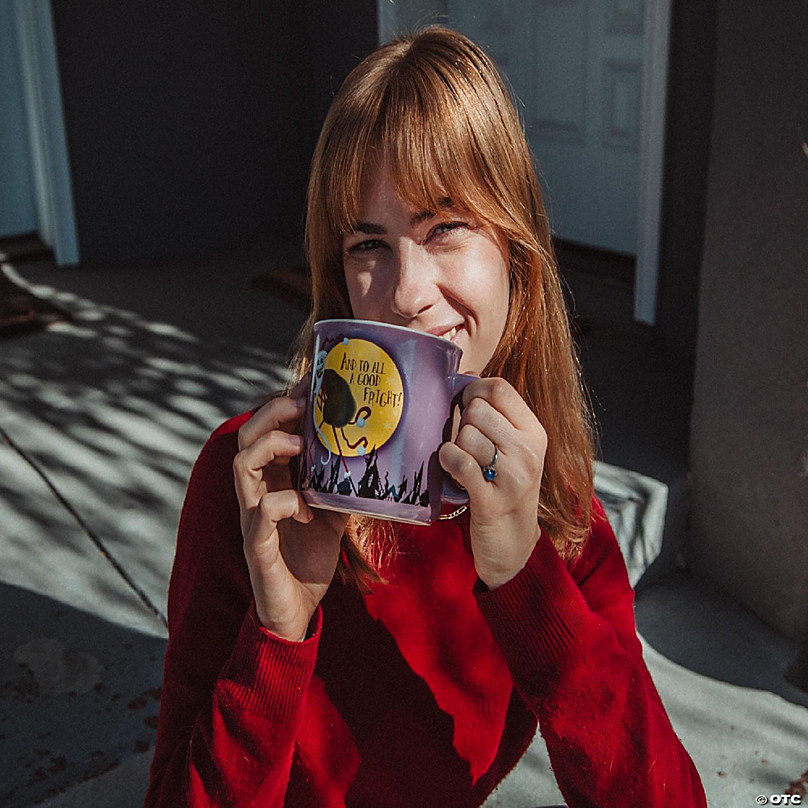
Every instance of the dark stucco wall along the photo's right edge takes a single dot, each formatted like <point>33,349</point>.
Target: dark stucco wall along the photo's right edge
<point>749,433</point>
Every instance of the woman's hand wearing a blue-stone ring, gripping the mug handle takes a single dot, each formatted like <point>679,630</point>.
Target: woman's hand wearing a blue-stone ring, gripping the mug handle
<point>504,512</point>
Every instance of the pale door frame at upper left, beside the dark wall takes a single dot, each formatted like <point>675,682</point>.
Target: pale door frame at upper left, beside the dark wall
<point>42,96</point>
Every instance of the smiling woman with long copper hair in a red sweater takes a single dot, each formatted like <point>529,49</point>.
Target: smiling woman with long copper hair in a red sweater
<point>321,660</point>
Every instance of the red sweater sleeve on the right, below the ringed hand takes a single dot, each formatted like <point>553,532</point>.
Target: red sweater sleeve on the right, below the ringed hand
<point>572,647</point>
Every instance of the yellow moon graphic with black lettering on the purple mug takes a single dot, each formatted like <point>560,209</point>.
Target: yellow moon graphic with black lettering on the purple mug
<point>358,398</point>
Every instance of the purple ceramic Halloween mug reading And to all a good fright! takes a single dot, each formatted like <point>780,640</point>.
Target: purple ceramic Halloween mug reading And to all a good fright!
<point>379,407</point>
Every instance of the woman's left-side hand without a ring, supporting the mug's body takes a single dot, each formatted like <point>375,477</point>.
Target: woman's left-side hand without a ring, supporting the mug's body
<point>291,550</point>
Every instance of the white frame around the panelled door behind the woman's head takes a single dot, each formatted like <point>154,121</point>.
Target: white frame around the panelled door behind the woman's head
<point>656,38</point>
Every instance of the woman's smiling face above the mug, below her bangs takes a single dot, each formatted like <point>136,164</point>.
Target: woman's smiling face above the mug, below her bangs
<point>444,272</point>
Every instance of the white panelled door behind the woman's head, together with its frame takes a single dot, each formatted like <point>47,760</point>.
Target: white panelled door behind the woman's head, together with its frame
<point>592,76</point>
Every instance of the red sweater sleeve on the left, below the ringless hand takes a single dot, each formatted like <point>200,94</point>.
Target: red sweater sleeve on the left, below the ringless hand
<point>233,693</point>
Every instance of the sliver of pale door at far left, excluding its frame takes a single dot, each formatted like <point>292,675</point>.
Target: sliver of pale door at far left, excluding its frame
<point>17,205</point>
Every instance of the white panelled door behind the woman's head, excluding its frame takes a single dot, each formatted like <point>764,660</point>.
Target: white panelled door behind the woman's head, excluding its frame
<point>576,66</point>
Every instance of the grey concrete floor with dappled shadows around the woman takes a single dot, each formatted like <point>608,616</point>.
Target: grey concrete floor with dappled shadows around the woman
<point>102,419</point>
